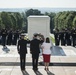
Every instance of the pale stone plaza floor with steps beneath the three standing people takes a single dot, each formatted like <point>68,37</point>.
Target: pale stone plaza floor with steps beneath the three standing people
<point>63,62</point>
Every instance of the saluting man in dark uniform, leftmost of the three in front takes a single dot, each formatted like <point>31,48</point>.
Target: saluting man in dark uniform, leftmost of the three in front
<point>22,50</point>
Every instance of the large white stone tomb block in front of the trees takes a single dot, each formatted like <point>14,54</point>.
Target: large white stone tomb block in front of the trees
<point>38,24</point>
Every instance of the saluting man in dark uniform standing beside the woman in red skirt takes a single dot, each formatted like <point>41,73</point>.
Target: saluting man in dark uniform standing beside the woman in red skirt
<point>35,50</point>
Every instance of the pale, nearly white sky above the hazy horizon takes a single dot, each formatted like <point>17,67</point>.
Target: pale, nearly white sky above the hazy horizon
<point>37,3</point>
